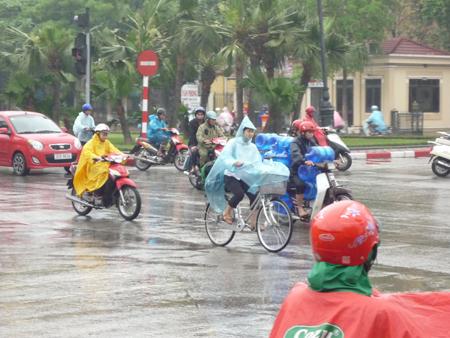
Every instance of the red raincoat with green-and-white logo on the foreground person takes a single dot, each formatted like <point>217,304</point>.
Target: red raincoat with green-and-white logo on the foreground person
<point>307,313</point>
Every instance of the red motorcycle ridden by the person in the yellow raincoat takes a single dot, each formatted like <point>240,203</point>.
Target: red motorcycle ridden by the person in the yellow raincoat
<point>125,194</point>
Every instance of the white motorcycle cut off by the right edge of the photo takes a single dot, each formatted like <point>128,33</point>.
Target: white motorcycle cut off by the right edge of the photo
<point>440,155</point>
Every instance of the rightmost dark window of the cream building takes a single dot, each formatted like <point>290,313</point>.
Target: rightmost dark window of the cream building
<point>425,93</point>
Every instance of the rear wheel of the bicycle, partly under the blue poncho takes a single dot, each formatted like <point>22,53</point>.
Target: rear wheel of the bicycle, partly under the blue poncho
<point>218,231</point>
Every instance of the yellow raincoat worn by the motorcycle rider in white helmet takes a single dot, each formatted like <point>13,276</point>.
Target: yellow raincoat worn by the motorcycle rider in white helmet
<point>92,175</point>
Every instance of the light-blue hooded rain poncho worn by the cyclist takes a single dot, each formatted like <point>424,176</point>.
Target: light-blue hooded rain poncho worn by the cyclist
<point>255,171</point>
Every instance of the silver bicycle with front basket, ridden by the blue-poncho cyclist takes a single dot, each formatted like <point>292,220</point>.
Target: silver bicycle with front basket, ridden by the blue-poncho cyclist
<point>273,220</point>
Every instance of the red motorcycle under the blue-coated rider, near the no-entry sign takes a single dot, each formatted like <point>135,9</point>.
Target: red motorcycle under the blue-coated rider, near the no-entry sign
<point>147,155</point>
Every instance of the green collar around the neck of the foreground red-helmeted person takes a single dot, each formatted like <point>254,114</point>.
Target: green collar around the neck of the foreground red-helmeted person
<point>326,277</point>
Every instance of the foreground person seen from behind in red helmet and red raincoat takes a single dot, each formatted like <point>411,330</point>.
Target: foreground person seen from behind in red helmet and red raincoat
<point>339,301</point>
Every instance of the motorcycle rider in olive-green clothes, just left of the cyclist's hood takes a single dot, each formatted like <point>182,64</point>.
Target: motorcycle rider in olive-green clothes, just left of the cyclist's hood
<point>205,133</point>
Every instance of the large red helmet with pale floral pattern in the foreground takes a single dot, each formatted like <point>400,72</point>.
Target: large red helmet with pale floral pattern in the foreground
<point>344,233</point>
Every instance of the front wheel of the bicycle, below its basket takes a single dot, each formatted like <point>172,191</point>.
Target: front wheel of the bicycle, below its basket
<point>274,225</point>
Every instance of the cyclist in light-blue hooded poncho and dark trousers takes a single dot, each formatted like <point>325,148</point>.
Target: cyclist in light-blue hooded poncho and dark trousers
<point>240,170</point>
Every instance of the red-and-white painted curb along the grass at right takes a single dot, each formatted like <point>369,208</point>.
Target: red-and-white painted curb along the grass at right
<point>370,154</point>
